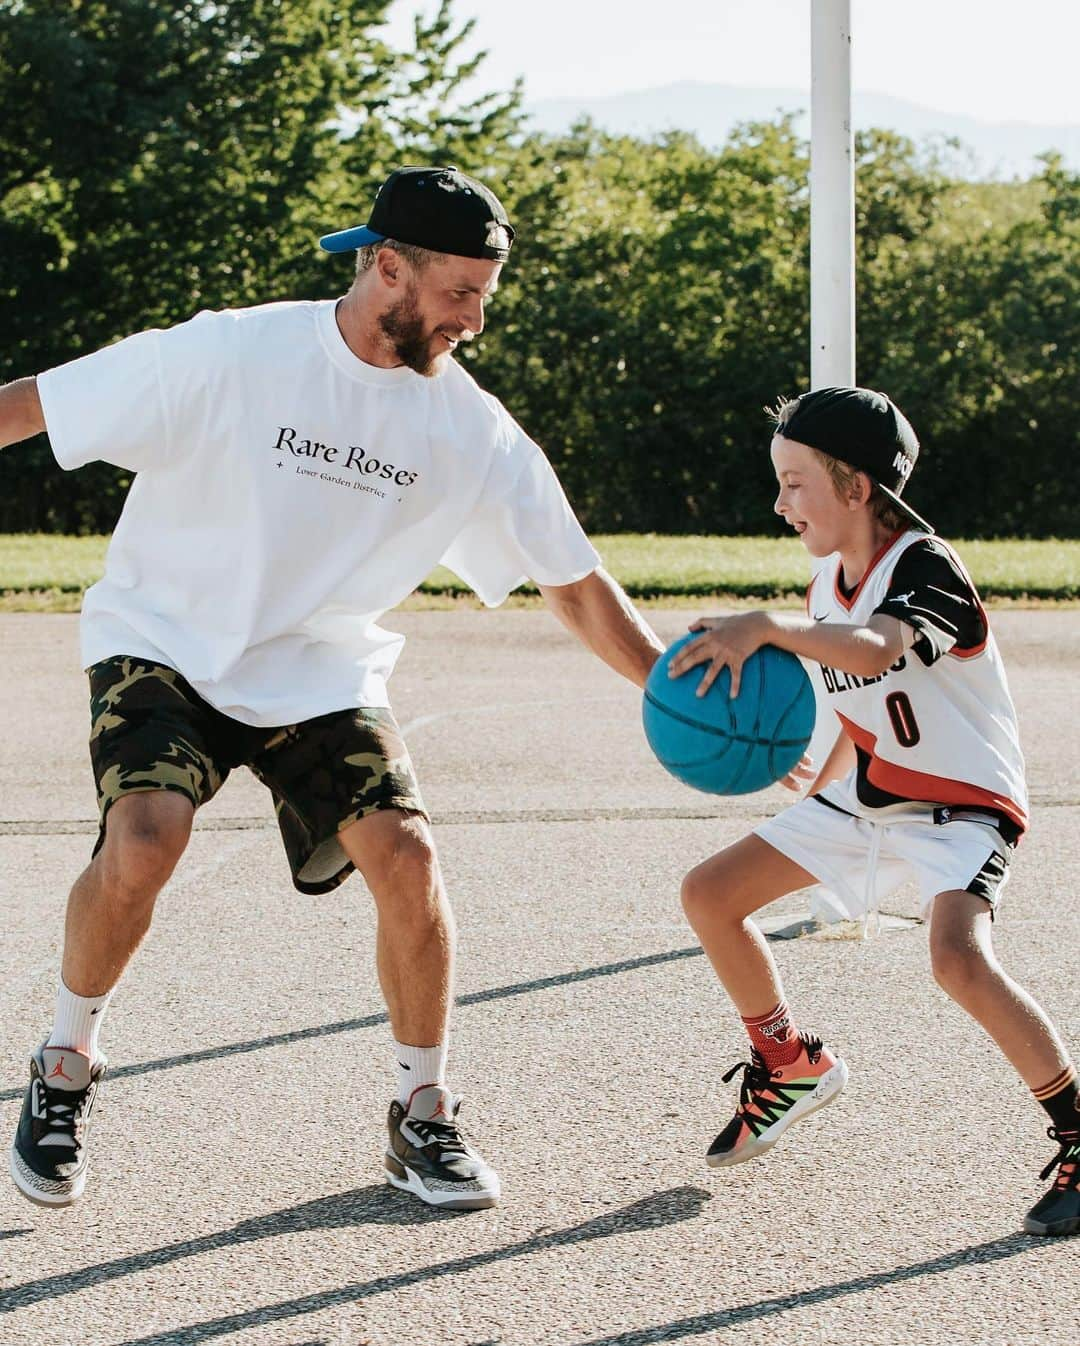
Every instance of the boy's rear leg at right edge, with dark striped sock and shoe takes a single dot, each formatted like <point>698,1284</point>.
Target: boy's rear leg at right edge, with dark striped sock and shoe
<point>968,970</point>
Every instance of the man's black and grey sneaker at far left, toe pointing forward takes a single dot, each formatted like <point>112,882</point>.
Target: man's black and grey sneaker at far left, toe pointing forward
<point>49,1156</point>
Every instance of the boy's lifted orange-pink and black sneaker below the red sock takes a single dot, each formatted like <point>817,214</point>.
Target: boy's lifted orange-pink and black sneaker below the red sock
<point>772,1100</point>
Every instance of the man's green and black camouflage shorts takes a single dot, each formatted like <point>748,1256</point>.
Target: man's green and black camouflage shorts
<point>150,730</point>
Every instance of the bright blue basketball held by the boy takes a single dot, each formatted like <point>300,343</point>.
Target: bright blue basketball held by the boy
<point>727,746</point>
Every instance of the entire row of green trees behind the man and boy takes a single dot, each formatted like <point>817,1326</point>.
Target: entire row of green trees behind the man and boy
<point>158,158</point>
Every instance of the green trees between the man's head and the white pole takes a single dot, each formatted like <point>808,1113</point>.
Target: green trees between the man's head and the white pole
<point>652,308</point>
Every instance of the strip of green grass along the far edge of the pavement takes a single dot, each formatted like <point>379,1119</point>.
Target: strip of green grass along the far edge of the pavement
<point>45,573</point>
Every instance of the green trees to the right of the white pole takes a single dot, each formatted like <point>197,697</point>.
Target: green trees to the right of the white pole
<point>972,324</point>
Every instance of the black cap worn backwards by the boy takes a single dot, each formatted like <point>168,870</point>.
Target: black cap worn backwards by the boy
<point>863,429</point>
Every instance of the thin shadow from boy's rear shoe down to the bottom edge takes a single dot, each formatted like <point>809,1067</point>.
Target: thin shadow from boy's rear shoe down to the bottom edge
<point>981,1254</point>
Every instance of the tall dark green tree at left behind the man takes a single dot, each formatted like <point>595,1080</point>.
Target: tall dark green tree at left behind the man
<point>160,157</point>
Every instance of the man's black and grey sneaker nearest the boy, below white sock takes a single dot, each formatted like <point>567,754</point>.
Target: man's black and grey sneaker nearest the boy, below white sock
<point>428,1156</point>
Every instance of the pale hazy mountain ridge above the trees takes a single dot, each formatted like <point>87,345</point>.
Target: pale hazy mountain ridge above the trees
<point>1004,150</point>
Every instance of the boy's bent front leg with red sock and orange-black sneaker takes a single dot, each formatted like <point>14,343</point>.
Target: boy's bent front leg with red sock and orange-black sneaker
<point>790,1075</point>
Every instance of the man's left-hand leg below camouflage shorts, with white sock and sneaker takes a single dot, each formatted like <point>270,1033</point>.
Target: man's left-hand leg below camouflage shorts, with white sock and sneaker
<point>108,913</point>
